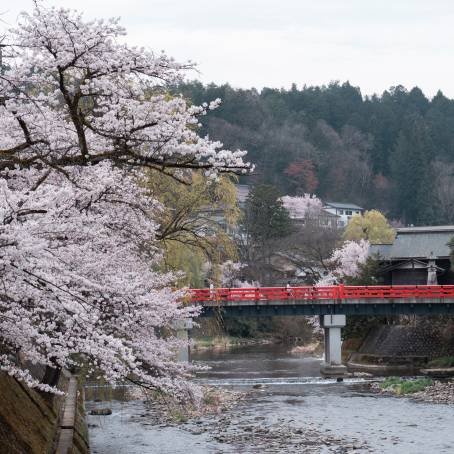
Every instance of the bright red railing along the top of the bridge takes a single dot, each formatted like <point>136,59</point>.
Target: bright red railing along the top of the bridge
<point>338,292</point>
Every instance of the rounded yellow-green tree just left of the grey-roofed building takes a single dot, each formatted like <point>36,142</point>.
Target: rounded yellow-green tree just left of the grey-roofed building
<point>372,226</point>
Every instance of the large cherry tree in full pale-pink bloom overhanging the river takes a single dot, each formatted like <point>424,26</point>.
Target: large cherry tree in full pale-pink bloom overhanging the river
<point>82,114</point>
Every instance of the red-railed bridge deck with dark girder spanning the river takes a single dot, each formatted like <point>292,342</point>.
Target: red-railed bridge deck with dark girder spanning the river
<point>341,299</point>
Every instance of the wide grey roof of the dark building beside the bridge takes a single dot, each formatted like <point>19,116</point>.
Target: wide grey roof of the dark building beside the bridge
<point>417,242</point>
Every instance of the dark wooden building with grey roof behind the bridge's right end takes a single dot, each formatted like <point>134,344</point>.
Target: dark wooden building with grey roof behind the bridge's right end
<point>418,256</point>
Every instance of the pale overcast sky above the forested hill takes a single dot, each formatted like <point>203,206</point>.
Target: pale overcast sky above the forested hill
<point>374,44</point>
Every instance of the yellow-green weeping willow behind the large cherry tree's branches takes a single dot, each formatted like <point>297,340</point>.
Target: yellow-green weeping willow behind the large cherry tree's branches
<point>194,222</point>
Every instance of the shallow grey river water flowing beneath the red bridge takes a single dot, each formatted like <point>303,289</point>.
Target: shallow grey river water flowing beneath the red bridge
<point>294,410</point>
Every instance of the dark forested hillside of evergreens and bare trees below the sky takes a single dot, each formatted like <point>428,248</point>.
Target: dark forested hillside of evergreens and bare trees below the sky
<point>394,152</point>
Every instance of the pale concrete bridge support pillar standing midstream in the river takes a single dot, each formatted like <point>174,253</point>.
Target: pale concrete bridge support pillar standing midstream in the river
<point>332,366</point>
